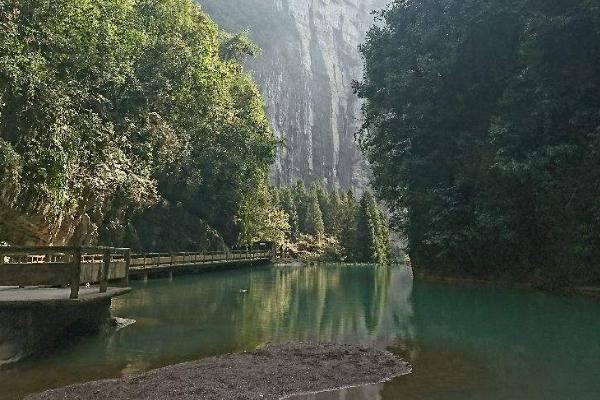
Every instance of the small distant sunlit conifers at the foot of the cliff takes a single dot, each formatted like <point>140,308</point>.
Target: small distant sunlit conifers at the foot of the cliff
<point>329,225</point>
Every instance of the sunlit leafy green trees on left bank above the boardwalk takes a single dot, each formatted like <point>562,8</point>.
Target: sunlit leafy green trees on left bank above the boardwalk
<point>128,123</point>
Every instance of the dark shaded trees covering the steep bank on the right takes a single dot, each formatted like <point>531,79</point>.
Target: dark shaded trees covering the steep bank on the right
<point>482,125</point>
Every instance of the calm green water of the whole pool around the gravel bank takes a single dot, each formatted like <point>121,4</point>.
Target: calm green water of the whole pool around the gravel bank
<point>463,342</point>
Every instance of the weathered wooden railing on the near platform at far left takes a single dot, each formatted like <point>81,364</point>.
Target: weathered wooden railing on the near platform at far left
<point>64,266</point>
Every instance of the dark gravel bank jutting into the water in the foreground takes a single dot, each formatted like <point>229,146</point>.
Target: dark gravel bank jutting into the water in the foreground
<point>275,372</point>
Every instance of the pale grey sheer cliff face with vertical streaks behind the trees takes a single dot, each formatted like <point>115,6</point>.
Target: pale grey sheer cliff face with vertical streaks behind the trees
<point>308,61</point>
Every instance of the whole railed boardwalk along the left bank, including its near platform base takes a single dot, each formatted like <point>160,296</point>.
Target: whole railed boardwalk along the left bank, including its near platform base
<point>46,291</point>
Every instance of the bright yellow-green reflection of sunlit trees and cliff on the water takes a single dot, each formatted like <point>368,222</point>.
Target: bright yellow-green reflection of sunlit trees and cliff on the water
<point>367,304</point>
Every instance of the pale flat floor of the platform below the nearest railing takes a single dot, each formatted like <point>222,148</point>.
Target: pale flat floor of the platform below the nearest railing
<point>15,296</point>
